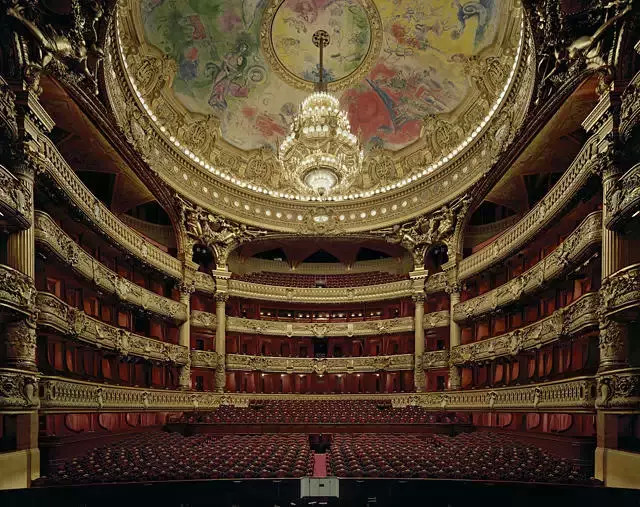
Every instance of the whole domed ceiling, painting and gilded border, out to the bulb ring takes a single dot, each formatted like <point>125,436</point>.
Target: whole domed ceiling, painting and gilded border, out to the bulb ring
<point>416,78</point>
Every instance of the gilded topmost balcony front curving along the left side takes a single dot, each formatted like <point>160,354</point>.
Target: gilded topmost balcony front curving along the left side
<point>53,166</point>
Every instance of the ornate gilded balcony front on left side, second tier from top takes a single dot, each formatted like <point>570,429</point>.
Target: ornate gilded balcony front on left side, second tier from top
<point>52,237</point>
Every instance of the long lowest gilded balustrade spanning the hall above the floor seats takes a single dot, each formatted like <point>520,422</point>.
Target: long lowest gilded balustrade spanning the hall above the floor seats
<point>564,396</point>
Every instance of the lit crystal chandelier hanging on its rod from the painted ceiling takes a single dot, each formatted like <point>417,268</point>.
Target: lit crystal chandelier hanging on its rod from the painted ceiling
<point>320,151</point>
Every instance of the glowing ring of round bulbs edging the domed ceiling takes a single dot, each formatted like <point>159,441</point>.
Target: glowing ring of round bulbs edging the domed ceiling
<point>298,197</point>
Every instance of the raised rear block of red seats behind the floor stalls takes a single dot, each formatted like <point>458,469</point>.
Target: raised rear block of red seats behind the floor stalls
<point>323,412</point>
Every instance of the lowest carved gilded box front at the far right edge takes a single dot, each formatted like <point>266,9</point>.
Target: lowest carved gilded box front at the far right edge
<point>619,390</point>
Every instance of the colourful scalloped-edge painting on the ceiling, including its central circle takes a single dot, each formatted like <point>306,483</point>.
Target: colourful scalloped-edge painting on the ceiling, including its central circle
<point>251,62</point>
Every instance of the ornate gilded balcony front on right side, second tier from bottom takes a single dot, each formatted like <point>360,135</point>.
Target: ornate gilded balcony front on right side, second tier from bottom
<point>565,322</point>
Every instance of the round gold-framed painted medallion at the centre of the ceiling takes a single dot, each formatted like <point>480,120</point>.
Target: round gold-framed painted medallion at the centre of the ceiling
<point>292,56</point>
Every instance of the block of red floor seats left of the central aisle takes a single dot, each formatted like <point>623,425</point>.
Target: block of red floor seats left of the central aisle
<point>159,456</point>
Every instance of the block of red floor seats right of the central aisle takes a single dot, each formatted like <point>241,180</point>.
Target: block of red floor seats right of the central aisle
<point>477,456</point>
